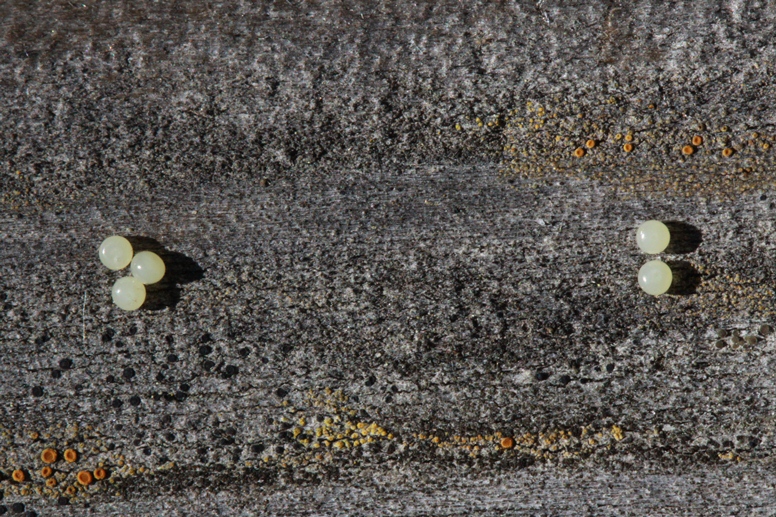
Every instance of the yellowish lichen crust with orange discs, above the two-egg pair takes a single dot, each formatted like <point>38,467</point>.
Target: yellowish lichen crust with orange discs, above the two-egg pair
<point>654,152</point>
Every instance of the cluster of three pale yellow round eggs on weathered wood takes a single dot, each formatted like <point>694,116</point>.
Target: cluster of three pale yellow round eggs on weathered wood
<point>147,267</point>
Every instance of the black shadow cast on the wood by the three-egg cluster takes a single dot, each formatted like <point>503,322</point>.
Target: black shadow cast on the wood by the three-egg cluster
<point>179,270</point>
